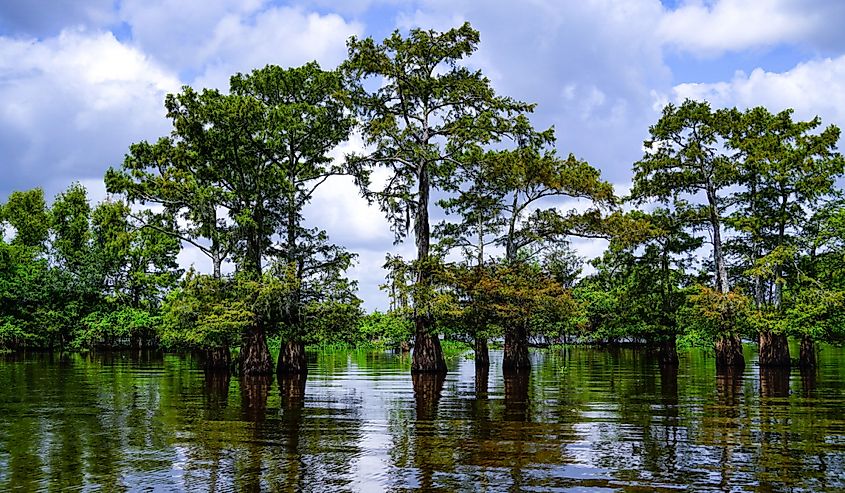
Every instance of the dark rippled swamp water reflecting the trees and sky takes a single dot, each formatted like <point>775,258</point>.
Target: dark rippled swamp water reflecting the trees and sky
<point>583,420</point>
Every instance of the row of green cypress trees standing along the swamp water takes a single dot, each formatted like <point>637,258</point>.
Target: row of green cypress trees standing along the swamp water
<point>733,227</point>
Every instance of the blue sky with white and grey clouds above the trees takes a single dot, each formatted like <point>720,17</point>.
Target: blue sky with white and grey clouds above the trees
<point>82,80</point>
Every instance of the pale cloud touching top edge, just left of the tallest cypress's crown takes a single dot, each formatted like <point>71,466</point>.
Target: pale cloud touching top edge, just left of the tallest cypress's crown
<point>208,41</point>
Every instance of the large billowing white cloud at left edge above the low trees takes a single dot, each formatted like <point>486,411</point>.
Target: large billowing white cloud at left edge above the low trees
<point>71,104</point>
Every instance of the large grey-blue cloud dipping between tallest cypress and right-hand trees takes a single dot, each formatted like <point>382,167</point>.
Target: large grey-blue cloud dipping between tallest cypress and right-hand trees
<point>590,66</point>
